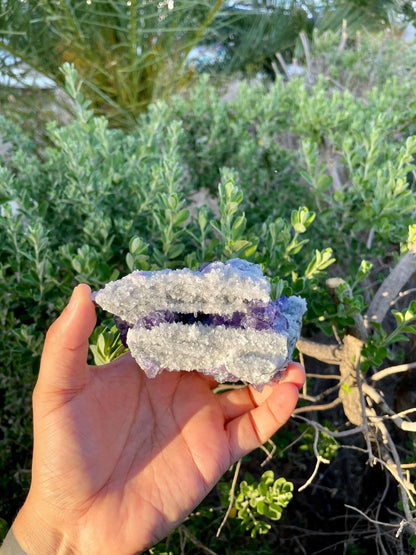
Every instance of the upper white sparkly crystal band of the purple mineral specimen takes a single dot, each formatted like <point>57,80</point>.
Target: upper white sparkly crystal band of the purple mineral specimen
<point>218,289</point>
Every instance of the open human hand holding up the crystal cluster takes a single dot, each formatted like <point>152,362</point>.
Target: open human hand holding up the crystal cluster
<point>120,460</point>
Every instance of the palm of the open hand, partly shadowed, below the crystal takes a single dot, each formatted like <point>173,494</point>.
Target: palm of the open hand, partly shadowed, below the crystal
<point>158,441</point>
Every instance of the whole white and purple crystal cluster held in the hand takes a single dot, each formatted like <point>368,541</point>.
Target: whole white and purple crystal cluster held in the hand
<point>219,320</point>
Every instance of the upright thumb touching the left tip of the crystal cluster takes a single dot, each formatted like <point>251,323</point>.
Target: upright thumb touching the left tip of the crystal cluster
<point>63,367</point>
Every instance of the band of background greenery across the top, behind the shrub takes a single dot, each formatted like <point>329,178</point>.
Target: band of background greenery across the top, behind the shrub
<point>130,53</point>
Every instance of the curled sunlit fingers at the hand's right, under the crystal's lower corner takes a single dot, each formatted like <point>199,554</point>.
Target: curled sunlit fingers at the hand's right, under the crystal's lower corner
<point>259,416</point>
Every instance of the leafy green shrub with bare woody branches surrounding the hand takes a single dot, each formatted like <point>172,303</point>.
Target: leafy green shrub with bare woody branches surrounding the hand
<point>312,177</point>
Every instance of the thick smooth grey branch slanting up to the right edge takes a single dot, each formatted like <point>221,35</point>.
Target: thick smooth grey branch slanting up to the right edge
<point>391,287</point>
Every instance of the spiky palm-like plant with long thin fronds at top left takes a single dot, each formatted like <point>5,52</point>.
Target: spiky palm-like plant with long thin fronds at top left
<point>123,50</point>
